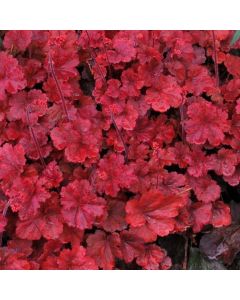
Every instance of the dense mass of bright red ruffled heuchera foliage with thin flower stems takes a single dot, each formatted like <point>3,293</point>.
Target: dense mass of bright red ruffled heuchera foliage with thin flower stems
<point>112,140</point>
